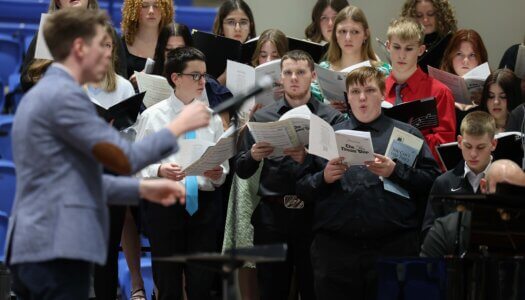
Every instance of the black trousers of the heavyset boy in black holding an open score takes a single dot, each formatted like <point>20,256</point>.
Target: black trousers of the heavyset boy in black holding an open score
<point>345,268</point>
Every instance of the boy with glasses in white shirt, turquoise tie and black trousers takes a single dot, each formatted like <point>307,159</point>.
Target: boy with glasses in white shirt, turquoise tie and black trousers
<point>179,229</point>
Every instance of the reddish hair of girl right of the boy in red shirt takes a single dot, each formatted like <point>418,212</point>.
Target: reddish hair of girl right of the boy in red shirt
<point>463,35</point>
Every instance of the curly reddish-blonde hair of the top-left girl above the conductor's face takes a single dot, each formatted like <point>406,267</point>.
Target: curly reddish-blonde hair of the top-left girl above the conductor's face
<point>131,15</point>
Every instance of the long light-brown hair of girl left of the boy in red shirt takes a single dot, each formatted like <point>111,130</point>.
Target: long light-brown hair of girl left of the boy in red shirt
<point>357,15</point>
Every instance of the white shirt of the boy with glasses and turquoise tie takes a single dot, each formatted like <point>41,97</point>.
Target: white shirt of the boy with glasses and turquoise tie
<point>157,117</point>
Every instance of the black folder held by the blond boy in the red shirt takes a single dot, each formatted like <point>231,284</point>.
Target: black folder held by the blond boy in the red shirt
<point>421,113</point>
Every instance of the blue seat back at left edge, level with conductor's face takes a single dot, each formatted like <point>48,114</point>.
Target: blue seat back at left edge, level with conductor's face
<point>10,56</point>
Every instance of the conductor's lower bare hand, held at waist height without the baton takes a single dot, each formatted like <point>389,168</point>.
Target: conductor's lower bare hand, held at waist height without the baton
<point>162,191</point>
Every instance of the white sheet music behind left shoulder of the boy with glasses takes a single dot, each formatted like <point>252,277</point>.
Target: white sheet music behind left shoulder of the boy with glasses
<point>157,88</point>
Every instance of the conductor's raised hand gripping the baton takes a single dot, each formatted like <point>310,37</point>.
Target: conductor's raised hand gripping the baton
<point>193,116</point>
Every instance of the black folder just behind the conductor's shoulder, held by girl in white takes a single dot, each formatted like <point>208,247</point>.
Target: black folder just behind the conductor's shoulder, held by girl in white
<point>124,114</point>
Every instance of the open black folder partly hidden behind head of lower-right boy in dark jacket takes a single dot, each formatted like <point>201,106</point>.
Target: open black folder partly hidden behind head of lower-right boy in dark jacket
<point>509,147</point>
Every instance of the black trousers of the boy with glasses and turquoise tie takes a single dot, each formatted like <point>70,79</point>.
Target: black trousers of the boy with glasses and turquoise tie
<point>173,231</point>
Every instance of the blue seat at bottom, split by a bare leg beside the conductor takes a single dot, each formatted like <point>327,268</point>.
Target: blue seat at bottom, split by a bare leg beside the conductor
<point>125,279</point>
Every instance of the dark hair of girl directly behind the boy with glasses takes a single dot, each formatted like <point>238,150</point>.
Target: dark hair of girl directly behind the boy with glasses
<point>173,29</point>
